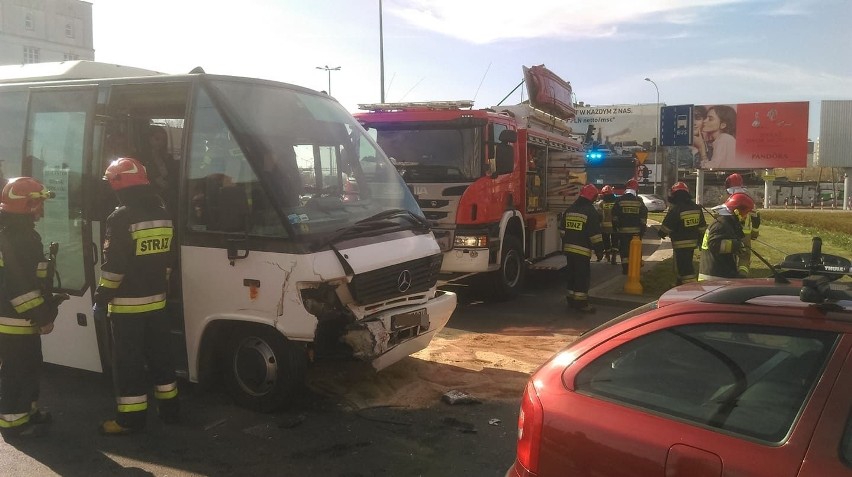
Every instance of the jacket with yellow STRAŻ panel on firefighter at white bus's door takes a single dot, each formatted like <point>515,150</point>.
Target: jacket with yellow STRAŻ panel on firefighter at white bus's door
<point>137,256</point>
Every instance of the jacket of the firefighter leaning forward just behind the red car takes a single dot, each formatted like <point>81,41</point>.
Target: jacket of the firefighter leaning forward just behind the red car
<point>722,241</point>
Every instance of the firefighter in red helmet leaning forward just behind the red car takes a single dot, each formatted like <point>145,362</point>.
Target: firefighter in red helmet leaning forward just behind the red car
<point>724,238</point>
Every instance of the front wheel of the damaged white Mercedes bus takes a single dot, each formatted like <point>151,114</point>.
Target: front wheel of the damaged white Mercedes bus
<point>263,370</point>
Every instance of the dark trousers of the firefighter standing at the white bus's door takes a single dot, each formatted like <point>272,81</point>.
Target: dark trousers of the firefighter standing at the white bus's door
<point>141,356</point>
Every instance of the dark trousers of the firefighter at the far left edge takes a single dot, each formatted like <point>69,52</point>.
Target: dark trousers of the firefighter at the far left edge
<point>20,369</point>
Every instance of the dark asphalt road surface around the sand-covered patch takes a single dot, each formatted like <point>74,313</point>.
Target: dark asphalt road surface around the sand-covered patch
<point>320,436</point>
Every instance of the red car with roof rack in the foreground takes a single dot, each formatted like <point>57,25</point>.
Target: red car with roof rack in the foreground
<point>727,378</point>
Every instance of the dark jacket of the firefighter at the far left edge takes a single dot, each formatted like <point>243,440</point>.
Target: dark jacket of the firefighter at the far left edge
<point>26,302</point>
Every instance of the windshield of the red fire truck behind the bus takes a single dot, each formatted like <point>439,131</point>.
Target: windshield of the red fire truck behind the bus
<point>425,153</point>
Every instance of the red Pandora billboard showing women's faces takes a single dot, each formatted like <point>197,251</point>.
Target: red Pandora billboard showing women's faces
<point>750,135</point>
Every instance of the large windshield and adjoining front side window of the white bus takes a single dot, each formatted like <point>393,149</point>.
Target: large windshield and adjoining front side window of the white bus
<point>320,172</point>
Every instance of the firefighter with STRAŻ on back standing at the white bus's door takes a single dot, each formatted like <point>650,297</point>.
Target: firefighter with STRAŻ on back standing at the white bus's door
<point>137,259</point>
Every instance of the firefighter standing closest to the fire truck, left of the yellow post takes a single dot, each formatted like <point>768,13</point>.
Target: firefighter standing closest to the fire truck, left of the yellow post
<point>581,234</point>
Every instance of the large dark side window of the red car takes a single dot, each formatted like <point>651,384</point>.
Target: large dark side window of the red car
<point>745,379</point>
